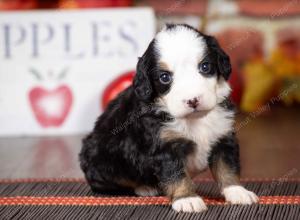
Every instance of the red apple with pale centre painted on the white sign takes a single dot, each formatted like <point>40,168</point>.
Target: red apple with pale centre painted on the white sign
<point>51,107</point>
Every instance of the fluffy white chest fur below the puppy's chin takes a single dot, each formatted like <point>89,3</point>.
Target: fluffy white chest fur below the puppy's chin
<point>205,132</point>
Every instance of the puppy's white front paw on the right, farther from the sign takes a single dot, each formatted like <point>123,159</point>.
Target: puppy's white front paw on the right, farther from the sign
<point>239,195</point>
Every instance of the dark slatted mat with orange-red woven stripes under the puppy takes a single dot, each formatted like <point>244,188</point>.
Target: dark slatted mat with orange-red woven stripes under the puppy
<point>72,199</point>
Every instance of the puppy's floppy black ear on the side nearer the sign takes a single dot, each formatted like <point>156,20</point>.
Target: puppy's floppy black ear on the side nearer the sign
<point>141,83</point>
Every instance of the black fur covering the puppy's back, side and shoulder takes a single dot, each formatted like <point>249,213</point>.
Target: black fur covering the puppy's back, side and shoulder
<point>134,151</point>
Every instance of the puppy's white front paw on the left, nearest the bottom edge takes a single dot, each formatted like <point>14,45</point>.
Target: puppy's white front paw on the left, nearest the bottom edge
<point>189,204</point>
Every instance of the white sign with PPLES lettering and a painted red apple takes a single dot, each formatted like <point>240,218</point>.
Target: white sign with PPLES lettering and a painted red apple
<point>55,65</point>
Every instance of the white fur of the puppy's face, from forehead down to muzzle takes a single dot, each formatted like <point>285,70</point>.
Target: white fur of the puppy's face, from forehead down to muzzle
<point>181,49</point>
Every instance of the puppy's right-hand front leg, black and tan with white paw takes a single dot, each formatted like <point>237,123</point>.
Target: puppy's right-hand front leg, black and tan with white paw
<point>225,166</point>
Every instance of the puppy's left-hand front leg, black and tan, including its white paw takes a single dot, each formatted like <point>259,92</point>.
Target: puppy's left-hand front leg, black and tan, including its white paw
<point>174,180</point>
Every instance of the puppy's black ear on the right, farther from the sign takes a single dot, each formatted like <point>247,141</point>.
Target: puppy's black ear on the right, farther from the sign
<point>222,59</point>
